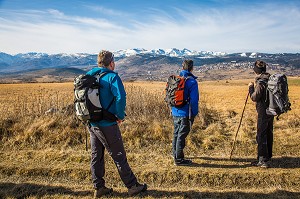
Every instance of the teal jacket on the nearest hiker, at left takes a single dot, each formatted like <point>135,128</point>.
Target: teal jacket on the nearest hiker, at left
<point>111,89</point>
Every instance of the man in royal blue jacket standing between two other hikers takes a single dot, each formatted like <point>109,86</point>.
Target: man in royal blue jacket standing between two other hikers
<point>183,117</point>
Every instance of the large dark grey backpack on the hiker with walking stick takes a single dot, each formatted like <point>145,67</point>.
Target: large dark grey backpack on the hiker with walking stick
<point>277,94</point>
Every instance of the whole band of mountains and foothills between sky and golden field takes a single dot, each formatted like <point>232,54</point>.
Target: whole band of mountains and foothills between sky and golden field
<point>139,64</point>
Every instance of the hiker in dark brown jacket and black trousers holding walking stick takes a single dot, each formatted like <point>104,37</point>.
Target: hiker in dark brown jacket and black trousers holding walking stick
<point>264,136</point>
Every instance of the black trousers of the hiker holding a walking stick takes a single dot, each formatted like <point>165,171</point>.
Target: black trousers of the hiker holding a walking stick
<point>264,136</point>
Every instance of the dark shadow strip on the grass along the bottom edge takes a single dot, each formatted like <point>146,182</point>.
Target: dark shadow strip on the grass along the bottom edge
<point>25,190</point>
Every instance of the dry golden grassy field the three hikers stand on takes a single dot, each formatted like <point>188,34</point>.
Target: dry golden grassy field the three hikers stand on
<point>43,146</point>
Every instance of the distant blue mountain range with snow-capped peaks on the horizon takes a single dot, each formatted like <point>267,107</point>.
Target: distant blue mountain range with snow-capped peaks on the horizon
<point>136,57</point>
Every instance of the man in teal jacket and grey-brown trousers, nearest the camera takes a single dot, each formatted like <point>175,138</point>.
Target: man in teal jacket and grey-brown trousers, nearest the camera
<point>106,133</point>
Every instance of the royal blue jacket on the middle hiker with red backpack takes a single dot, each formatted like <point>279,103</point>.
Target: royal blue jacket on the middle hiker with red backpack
<point>191,92</point>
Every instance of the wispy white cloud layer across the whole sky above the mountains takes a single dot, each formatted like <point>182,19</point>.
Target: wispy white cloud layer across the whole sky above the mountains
<point>263,29</point>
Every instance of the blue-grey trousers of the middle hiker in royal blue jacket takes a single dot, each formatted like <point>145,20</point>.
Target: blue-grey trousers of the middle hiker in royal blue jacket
<point>182,127</point>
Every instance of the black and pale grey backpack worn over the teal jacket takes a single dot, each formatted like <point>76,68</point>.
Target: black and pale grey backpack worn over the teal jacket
<point>87,99</point>
